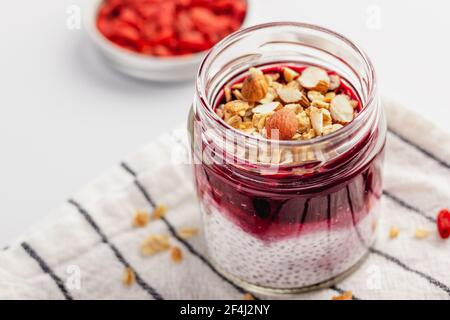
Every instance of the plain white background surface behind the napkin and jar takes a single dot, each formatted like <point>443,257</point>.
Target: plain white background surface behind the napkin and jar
<point>66,117</point>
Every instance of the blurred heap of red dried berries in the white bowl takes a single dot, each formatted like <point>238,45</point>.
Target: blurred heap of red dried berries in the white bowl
<point>169,27</point>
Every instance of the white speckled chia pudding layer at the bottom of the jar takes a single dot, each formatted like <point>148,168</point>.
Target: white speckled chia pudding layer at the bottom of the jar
<point>307,259</point>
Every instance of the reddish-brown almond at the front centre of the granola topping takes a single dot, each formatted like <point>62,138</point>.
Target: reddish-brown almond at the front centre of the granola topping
<point>283,124</point>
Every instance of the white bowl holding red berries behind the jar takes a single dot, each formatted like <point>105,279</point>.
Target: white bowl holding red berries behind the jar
<point>167,69</point>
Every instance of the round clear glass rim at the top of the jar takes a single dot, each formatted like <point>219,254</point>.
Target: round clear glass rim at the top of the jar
<point>367,105</point>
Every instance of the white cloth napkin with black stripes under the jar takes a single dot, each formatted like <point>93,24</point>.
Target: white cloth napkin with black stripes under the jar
<point>82,250</point>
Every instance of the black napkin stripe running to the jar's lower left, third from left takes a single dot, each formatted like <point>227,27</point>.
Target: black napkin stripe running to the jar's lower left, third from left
<point>175,234</point>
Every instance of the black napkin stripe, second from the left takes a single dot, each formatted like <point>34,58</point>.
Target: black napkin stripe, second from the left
<point>144,285</point>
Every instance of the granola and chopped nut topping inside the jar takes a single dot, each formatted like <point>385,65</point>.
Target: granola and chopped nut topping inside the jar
<point>288,103</point>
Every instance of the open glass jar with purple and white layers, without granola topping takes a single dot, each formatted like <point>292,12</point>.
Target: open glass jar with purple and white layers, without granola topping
<point>287,216</point>
